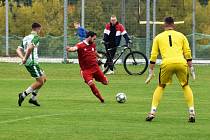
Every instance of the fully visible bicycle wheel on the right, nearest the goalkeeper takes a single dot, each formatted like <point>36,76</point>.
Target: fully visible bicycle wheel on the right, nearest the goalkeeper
<point>135,63</point>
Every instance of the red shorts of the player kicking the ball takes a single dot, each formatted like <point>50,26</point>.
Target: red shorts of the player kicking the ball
<point>97,74</point>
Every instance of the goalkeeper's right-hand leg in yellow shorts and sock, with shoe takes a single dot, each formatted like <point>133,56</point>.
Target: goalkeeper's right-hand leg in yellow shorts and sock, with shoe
<point>183,77</point>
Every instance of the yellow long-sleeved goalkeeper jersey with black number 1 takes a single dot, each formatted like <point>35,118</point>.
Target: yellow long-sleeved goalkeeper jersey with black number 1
<point>173,47</point>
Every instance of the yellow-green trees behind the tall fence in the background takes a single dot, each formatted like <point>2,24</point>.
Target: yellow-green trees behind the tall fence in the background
<point>97,13</point>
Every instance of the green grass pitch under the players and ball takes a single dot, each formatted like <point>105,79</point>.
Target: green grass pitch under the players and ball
<point>69,111</point>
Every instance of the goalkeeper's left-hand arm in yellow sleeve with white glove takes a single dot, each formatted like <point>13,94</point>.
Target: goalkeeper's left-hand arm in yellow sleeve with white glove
<point>153,58</point>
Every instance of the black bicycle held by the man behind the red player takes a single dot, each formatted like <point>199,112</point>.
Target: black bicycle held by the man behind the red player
<point>135,62</point>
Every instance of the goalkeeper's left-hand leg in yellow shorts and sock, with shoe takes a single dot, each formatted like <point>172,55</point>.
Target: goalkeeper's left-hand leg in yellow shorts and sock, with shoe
<point>165,77</point>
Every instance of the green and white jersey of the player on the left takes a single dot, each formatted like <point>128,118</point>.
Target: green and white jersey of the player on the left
<point>34,39</point>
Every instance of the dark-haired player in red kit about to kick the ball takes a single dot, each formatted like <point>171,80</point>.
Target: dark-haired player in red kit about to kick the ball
<point>87,56</point>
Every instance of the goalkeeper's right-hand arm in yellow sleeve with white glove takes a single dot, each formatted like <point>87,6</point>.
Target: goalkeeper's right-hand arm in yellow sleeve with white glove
<point>188,56</point>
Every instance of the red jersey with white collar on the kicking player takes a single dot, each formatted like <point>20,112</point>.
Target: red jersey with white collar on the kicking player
<point>87,55</point>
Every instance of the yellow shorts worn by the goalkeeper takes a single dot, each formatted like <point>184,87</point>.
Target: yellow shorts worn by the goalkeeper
<point>179,69</point>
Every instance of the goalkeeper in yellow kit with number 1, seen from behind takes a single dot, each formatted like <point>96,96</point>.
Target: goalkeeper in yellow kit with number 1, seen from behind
<point>176,59</point>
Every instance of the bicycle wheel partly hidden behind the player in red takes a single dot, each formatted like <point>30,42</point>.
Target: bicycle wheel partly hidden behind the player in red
<point>102,60</point>
